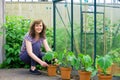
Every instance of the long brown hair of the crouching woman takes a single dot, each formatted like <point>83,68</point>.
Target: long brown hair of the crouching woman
<point>32,29</point>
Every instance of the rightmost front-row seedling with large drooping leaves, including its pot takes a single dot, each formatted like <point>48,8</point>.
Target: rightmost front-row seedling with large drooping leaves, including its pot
<point>104,62</point>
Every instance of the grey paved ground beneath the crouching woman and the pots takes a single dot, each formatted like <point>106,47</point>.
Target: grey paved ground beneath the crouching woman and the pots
<point>23,74</point>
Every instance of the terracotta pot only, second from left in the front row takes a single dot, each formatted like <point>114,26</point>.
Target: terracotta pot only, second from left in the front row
<point>65,73</point>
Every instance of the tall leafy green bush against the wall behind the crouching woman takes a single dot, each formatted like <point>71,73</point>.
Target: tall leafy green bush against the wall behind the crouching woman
<point>16,27</point>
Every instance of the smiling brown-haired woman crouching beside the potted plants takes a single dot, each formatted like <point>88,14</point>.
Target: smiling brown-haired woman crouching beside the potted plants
<point>33,40</point>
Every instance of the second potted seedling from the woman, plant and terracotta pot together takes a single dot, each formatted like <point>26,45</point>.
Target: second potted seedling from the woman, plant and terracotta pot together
<point>66,60</point>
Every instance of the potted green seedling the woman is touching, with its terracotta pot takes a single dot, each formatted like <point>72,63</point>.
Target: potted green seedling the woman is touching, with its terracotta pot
<point>51,58</point>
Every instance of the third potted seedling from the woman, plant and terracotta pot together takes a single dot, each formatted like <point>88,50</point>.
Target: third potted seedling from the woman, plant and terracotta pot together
<point>85,66</point>
